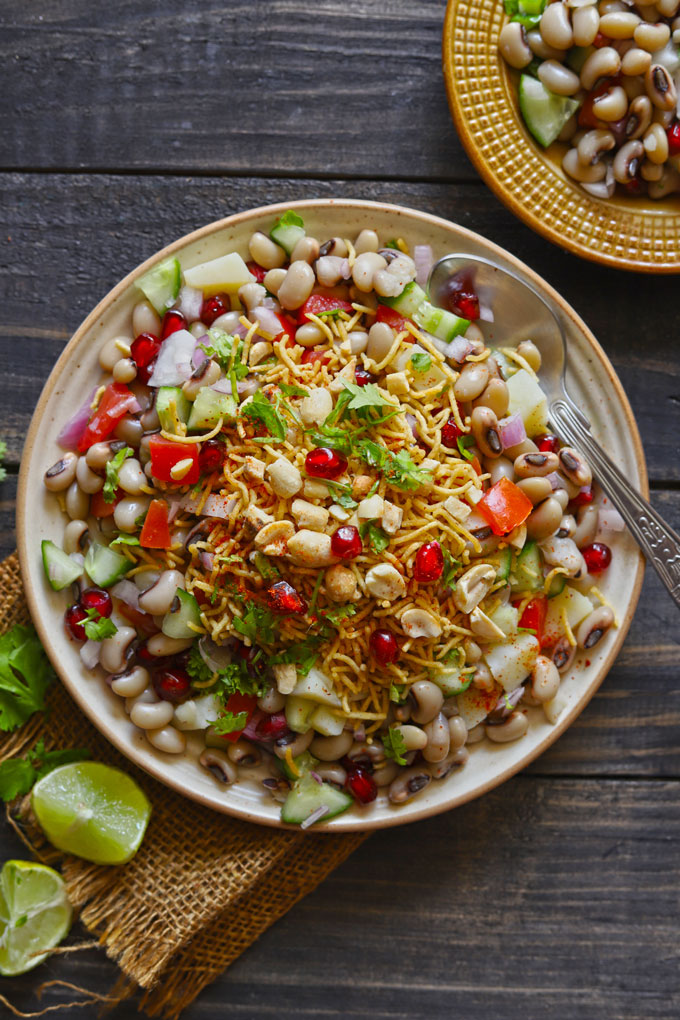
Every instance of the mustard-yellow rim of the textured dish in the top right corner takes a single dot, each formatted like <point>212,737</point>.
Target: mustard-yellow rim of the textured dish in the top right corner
<point>626,233</point>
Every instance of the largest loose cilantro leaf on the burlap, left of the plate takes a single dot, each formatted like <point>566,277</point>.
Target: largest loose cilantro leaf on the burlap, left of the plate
<point>25,676</point>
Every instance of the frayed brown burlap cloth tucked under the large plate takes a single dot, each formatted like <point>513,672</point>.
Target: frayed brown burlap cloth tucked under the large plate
<point>202,888</point>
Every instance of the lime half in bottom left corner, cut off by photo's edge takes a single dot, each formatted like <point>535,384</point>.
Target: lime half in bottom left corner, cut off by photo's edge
<point>35,915</point>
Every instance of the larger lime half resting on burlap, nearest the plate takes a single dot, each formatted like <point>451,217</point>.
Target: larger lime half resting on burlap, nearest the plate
<point>93,811</point>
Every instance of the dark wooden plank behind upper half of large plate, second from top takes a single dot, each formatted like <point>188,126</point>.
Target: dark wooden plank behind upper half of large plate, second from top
<point>56,268</point>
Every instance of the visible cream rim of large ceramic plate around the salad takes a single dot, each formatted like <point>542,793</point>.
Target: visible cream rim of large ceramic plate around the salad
<point>593,383</point>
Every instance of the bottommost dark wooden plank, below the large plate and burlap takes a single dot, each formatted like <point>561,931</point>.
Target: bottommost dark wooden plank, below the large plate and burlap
<point>545,898</point>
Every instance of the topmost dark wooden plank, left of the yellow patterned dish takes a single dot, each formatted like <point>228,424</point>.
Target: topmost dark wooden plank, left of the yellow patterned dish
<point>350,88</point>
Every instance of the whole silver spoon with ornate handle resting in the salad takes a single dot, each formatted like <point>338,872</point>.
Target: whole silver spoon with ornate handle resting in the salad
<point>527,315</point>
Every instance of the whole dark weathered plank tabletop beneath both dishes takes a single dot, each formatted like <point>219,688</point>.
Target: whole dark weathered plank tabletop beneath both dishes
<point>125,126</point>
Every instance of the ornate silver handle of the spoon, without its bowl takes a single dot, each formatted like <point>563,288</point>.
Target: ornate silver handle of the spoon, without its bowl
<point>660,543</point>
